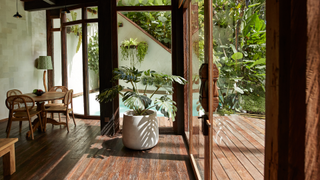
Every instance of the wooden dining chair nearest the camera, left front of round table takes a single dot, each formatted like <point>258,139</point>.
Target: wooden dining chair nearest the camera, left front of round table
<point>21,108</point>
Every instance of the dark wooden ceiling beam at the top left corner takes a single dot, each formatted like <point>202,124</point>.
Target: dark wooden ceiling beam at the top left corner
<point>42,5</point>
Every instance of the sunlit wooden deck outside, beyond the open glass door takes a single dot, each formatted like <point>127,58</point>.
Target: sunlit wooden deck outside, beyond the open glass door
<point>238,149</point>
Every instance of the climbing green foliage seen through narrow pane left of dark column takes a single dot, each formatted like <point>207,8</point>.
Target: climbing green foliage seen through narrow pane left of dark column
<point>93,53</point>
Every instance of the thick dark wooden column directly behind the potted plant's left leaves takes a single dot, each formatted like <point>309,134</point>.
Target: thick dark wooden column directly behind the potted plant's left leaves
<point>108,59</point>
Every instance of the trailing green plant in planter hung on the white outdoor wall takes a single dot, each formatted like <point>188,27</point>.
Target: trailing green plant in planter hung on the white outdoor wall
<point>133,51</point>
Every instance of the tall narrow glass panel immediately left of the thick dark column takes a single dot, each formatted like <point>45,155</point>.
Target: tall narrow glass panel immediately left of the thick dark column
<point>93,65</point>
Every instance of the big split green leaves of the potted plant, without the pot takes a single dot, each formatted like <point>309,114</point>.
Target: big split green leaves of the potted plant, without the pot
<point>137,100</point>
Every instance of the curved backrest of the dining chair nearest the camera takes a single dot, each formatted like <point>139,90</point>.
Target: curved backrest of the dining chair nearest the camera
<point>18,103</point>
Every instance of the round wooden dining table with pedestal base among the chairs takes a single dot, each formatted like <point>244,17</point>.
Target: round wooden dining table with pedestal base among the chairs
<point>40,101</point>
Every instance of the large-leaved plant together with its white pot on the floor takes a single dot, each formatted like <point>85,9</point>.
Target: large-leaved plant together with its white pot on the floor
<point>140,126</point>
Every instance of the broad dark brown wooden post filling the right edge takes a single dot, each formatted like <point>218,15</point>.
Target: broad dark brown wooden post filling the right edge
<point>292,98</point>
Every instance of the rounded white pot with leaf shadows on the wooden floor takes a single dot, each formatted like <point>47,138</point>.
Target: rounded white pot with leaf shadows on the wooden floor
<point>140,132</point>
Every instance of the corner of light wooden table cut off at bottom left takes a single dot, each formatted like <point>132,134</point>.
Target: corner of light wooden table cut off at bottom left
<point>7,151</point>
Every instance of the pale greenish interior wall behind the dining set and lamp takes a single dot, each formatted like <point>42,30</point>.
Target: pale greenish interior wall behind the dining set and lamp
<point>22,41</point>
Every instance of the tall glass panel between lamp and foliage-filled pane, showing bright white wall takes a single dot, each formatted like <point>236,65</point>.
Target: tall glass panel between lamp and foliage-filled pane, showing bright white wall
<point>75,67</point>
